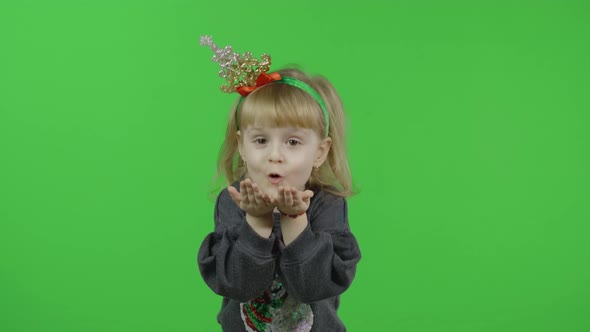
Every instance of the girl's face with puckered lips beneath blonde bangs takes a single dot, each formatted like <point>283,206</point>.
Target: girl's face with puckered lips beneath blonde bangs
<point>278,156</point>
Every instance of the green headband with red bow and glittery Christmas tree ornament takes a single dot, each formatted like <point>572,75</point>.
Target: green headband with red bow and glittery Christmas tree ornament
<point>244,74</point>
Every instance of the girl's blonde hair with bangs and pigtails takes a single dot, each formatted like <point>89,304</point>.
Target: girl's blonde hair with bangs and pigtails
<point>280,105</point>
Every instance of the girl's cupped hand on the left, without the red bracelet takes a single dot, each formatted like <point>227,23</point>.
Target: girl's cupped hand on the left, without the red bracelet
<point>251,199</point>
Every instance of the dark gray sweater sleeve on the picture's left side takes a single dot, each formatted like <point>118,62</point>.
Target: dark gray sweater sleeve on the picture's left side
<point>234,260</point>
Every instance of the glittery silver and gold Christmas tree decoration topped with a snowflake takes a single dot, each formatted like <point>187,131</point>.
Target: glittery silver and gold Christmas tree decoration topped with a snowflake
<point>238,70</point>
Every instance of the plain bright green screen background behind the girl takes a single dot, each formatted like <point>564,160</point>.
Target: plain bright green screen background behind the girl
<point>468,141</point>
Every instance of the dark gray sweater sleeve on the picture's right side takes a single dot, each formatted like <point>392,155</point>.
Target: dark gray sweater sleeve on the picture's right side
<point>321,262</point>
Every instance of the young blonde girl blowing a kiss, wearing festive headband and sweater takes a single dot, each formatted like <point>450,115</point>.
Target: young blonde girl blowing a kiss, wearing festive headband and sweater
<point>282,251</point>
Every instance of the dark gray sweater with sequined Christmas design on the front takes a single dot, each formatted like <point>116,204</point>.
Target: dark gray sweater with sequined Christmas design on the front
<point>267,285</point>
